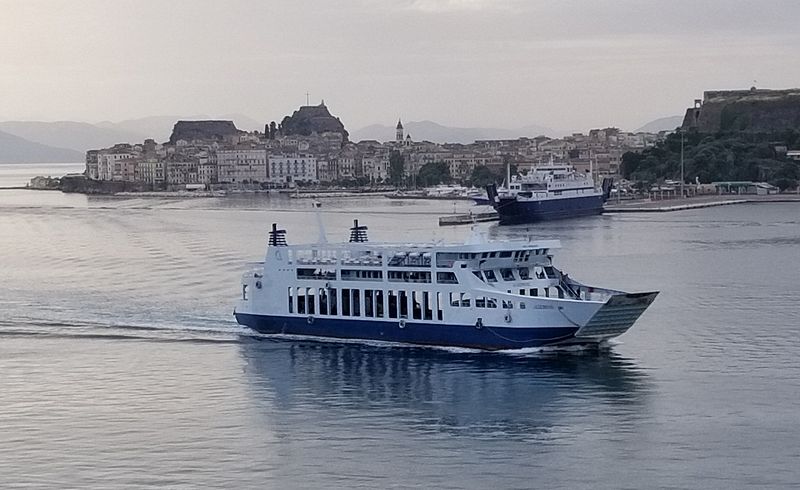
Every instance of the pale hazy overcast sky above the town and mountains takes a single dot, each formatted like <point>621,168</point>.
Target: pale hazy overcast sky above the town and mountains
<point>502,63</point>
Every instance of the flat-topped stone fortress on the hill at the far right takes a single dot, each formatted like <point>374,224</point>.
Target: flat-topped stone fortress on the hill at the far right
<point>750,111</point>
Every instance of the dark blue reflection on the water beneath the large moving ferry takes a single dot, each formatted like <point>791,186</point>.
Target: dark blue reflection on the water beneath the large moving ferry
<point>480,394</point>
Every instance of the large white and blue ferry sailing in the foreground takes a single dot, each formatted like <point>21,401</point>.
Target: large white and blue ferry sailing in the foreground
<point>483,295</point>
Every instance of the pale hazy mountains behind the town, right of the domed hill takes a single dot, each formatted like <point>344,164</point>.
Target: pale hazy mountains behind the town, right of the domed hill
<point>437,133</point>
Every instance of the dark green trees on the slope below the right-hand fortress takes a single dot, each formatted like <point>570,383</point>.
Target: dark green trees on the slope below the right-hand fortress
<point>718,157</point>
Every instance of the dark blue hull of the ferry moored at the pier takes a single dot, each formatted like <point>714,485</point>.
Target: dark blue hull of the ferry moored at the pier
<point>512,211</point>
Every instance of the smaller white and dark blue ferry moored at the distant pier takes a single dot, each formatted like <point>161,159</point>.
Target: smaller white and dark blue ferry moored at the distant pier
<point>548,192</point>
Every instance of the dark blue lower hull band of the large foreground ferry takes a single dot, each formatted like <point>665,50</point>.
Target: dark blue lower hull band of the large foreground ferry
<point>491,338</point>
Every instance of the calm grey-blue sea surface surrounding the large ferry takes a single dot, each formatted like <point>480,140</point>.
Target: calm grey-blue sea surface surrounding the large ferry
<point>121,365</point>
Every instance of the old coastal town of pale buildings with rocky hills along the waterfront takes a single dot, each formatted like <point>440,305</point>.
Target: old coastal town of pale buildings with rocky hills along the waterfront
<point>312,148</point>
